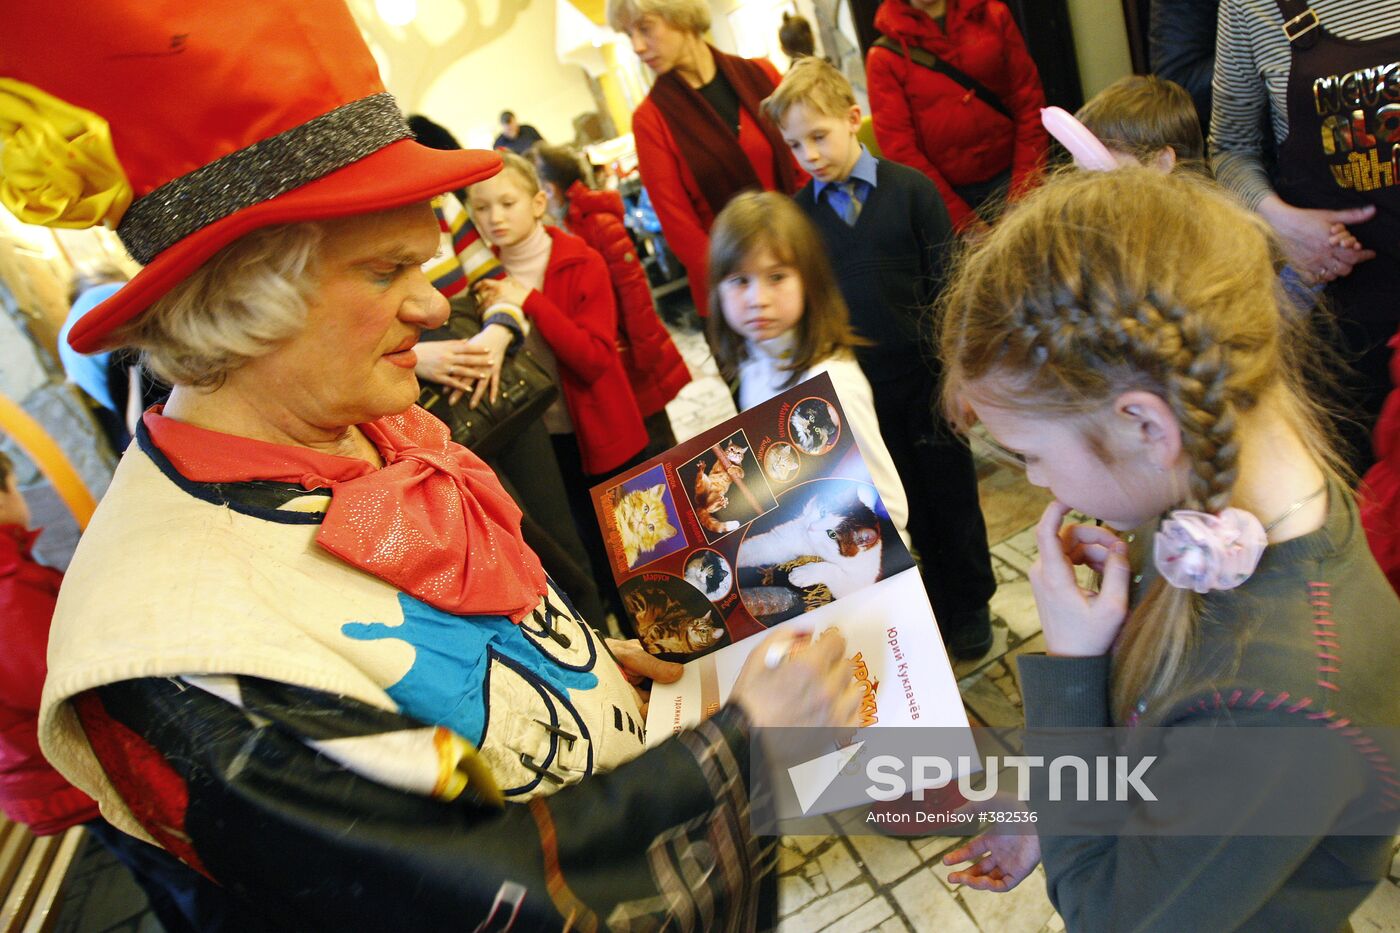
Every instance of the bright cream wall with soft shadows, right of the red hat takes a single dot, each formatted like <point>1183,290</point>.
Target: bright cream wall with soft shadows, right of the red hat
<point>463,62</point>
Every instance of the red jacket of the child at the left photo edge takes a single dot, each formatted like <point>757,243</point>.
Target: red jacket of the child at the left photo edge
<point>31,791</point>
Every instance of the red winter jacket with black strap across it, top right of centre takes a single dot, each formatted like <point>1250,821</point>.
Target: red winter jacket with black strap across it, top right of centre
<point>933,124</point>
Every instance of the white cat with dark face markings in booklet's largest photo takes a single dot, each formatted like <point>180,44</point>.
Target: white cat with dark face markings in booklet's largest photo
<point>839,529</point>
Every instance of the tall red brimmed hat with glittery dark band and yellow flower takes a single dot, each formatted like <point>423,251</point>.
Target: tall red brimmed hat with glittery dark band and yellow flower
<point>190,125</point>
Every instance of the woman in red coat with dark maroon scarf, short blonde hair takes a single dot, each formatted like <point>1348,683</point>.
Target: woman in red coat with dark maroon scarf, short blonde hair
<point>701,135</point>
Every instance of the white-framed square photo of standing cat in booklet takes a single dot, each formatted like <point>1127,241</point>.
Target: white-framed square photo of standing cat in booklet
<point>727,490</point>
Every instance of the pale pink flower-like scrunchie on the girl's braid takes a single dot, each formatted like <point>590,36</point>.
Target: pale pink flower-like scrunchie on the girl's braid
<point>1199,551</point>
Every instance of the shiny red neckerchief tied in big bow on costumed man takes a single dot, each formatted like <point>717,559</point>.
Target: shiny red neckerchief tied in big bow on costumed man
<point>433,522</point>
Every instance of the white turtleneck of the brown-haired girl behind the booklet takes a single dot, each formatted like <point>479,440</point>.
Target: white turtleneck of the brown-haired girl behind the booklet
<point>762,378</point>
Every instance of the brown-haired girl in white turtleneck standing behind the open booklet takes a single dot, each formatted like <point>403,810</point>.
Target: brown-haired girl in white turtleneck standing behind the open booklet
<point>778,319</point>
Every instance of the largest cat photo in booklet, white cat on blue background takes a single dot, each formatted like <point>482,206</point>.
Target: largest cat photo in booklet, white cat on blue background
<point>827,540</point>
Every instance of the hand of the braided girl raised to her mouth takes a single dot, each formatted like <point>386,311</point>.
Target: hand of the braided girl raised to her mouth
<point>1079,623</point>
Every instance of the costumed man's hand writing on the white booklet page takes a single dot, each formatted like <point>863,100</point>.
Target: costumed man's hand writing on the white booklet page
<point>794,680</point>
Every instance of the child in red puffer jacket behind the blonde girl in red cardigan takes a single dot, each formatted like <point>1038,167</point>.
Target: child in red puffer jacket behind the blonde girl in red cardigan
<point>654,365</point>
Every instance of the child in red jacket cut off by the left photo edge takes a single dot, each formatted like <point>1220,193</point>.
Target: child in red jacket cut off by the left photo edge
<point>31,791</point>
